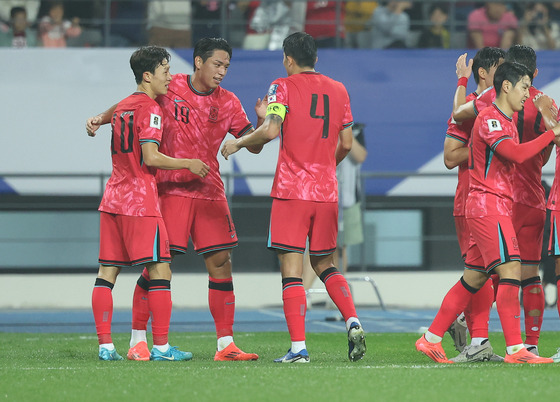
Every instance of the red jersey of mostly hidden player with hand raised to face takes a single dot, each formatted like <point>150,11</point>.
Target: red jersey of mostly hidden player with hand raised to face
<point>461,132</point>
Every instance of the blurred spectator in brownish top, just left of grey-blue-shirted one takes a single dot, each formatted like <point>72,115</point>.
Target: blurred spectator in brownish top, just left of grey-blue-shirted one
<point>356,20</point>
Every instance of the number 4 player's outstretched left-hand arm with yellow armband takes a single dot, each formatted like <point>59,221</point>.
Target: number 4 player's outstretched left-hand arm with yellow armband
<point>269,130</point>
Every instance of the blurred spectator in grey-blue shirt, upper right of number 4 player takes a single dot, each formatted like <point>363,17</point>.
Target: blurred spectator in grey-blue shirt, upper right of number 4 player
<point>390,25</point>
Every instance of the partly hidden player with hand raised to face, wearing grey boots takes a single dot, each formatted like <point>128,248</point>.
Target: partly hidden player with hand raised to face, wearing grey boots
<point>455,152</point>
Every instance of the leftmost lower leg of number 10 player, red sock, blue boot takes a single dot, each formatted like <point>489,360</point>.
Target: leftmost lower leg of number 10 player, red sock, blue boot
<point>102,306</point>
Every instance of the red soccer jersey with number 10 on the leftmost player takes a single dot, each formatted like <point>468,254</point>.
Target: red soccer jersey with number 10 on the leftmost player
<point>132,189</point>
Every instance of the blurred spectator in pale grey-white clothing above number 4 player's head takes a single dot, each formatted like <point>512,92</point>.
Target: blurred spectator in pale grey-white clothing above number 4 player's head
<point>271,21</point>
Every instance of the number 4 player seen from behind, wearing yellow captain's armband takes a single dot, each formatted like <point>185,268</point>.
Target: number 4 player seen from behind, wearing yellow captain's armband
<point>312,115</point>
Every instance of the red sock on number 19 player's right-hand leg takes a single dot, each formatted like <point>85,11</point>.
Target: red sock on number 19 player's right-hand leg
<point>221,300</point>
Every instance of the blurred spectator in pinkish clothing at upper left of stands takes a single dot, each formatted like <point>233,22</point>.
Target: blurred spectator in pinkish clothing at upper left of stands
<point>54,30</point>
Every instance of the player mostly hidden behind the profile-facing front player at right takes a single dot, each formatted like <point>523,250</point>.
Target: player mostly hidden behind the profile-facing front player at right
<point>529,208</point>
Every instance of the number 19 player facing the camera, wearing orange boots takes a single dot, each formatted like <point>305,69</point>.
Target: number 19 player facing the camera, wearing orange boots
<point>198,113</point>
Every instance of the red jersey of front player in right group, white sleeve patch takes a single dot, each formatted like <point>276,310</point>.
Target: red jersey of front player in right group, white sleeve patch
<point>491,175</point>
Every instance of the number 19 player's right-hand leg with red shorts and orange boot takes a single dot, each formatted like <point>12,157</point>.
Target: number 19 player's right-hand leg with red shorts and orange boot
<point>213,236</point>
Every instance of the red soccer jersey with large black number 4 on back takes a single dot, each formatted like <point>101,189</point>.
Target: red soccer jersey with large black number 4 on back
<point>318,108</point>
